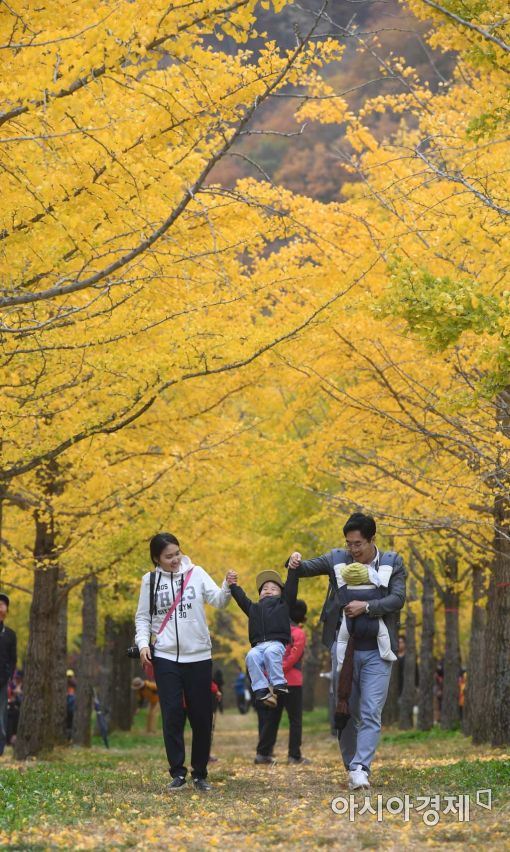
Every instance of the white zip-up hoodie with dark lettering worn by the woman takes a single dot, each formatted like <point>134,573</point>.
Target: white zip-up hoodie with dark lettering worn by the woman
<point>185,638</point>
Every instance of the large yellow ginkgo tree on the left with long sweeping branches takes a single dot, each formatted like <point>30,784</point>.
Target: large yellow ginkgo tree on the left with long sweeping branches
<point>124,268</point>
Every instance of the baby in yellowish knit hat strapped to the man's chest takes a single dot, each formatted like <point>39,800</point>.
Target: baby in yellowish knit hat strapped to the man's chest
<point>361,582</point>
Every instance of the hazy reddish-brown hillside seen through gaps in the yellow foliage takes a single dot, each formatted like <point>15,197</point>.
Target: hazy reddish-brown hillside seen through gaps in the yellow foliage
<point>309,157</point>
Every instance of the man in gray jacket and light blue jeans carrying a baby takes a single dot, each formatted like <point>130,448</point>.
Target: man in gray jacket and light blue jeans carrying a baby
<point>371,674</point>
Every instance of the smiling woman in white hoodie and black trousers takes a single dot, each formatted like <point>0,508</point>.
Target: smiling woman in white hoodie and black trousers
<point>182,652</point>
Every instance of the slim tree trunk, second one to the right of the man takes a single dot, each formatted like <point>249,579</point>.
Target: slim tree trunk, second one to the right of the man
<point>427,663</point>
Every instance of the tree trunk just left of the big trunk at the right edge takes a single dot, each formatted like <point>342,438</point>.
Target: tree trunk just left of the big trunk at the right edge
<point>475,707</point>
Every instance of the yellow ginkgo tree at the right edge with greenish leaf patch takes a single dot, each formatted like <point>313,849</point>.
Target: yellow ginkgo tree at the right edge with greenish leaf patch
<point>433,451</point>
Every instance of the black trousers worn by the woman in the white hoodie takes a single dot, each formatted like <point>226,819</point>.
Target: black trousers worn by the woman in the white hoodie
<point>193,681</point>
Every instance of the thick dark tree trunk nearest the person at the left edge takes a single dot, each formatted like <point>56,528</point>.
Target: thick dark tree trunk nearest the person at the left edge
<point>36,722</point>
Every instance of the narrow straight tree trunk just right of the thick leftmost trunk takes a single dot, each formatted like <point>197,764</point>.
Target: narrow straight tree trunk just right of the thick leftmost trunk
<point>87,666</point>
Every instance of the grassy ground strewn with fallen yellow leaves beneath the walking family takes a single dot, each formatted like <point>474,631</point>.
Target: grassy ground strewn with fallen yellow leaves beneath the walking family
<point>116,798</point>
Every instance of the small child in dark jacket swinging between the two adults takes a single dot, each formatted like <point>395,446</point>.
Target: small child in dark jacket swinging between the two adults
<point>269,630</point>
